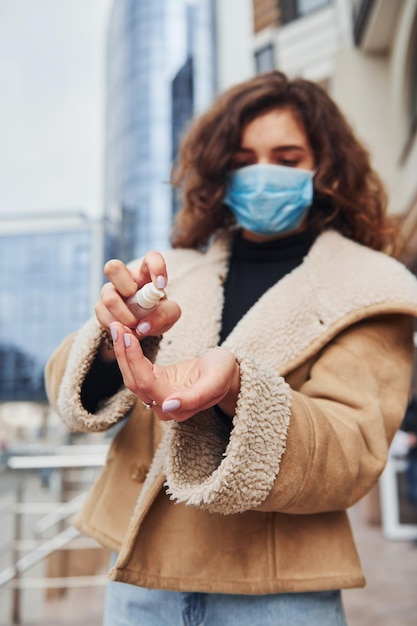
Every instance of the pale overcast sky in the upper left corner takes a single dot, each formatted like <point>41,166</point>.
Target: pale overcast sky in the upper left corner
<point>52,106</point>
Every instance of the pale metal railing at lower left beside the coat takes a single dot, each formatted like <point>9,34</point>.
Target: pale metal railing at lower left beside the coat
<point>54,519</point>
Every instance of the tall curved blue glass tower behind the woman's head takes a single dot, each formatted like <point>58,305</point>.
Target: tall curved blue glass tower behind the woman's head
<point>160,72</point>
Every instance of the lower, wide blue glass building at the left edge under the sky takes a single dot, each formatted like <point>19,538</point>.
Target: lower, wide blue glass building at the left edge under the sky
<point>50,279</point>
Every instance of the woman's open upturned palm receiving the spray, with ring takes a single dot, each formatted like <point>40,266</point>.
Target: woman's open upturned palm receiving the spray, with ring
<point>181,390</point>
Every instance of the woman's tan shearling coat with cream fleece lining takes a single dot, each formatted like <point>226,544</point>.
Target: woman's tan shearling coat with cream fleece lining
<point>325,357</point>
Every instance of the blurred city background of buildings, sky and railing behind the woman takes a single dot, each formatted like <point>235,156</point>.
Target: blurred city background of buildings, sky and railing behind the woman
<point>95,96</point>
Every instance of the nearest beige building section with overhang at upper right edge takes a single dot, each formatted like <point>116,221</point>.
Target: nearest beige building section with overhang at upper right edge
<point>380,98</point>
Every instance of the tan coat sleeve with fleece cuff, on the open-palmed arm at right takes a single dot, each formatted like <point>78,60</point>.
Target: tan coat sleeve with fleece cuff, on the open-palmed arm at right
<point>316,448</point>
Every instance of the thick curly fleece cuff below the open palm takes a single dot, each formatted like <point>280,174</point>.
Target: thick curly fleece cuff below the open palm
<point>230,472</point>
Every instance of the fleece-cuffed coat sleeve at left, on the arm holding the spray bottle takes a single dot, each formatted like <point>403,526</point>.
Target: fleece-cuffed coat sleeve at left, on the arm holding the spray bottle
<point>65,374</point>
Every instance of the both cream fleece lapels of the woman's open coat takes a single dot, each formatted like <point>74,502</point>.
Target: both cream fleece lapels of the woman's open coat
<point>295,317</point>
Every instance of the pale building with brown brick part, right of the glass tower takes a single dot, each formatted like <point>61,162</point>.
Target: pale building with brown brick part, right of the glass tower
<point>364,52</point>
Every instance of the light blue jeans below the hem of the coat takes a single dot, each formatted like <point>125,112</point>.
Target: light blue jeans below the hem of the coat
<point>128,605</point>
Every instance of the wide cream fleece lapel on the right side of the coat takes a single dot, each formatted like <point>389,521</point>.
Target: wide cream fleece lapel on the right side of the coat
<point>322,296</point>
